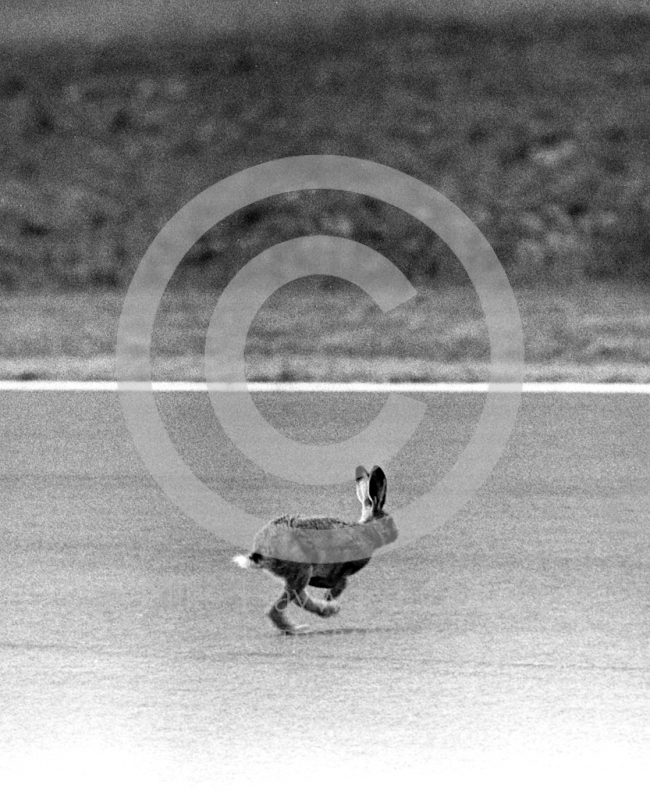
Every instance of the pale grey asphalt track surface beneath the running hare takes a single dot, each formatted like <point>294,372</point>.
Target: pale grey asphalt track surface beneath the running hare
<point>506,653</point>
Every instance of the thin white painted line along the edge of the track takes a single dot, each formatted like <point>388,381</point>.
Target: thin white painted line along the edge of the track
<point>385,388</point>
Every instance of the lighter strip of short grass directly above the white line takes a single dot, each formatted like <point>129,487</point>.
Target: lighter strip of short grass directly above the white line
<point>306,333</point>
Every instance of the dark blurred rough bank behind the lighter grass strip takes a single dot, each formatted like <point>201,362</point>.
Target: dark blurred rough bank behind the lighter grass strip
<point>537,128</point>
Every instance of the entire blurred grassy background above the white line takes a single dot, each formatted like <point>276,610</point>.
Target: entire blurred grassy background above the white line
<point>532,117</point>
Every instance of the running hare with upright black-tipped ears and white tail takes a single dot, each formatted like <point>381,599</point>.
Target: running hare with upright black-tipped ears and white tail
<point>321,551</point>
